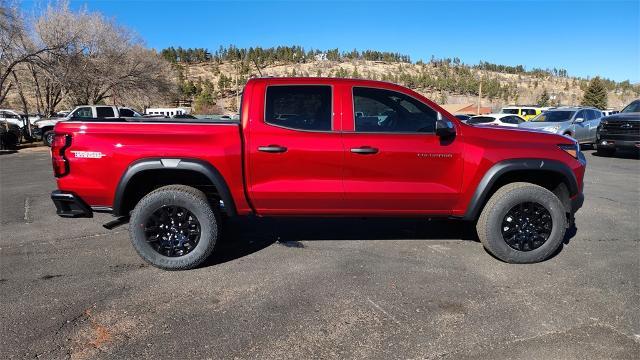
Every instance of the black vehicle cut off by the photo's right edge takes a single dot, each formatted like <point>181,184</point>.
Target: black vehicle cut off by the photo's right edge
<point>620,131</point>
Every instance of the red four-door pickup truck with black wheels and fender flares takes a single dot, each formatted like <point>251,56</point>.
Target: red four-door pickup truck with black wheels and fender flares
<point>317,147</point>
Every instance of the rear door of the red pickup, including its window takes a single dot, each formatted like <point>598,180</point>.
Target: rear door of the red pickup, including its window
<point>294,149</point>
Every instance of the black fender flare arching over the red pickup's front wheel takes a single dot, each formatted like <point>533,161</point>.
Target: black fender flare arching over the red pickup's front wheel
<point>506,166</point>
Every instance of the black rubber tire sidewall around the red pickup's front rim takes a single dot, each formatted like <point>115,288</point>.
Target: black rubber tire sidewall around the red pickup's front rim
<point>499,247</point>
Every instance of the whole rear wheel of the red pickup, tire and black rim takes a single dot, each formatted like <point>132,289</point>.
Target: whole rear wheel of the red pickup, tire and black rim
<point>174,228</point>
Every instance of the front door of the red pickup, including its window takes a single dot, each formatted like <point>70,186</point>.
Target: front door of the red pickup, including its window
<point>394,161</point>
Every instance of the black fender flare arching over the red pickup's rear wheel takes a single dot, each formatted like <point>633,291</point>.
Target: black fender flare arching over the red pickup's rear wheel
<point>169,164</point>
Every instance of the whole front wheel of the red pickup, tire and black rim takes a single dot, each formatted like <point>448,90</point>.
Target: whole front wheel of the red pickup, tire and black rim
<point>522,223</point>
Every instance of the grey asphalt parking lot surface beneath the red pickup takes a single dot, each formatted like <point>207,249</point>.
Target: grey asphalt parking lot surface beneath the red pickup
<point>330,289</point>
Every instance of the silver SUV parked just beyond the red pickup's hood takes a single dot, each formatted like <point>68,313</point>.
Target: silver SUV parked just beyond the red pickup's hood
<point>581,123</point>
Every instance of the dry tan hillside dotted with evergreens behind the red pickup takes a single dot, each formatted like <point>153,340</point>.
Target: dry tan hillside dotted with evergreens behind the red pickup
<point>445,81</point>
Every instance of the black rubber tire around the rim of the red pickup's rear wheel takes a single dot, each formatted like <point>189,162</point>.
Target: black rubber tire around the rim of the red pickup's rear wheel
<point>189,198</point>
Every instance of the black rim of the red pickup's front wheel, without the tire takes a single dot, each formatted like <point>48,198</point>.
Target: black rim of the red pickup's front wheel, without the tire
<point>527,226</point>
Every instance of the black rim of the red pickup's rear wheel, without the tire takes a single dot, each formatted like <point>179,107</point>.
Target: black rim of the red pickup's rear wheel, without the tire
<point>172,231</point>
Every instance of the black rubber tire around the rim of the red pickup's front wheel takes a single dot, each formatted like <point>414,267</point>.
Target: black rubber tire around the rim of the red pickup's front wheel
<point>490,222</point>
